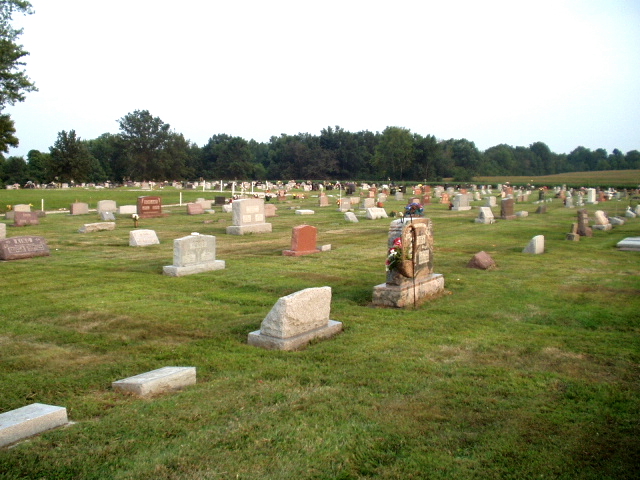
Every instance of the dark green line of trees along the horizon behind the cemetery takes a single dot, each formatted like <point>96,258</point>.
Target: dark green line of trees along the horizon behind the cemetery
<point>146,148</point>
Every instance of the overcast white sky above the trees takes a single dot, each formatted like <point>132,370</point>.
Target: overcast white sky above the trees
<point>566,73</point>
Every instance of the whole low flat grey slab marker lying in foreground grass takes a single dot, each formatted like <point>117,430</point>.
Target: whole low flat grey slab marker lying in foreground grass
<point>157,381</point>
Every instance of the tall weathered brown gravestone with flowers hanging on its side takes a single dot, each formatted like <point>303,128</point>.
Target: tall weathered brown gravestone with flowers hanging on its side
<point>410,279</point>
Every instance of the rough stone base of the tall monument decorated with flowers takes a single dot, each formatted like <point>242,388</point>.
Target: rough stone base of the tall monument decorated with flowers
<point>409,293</point>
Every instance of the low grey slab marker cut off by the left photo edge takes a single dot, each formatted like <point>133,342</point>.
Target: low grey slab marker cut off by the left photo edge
<point>27,421</point>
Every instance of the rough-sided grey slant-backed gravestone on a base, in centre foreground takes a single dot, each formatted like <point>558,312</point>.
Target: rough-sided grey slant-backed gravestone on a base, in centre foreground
<point>295,320</point>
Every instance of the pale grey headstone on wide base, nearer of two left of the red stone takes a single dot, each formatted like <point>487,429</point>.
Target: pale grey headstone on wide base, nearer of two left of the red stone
<point>193,254</point>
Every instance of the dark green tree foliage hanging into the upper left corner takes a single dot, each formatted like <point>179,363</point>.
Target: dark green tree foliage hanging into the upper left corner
<point>14,82</point>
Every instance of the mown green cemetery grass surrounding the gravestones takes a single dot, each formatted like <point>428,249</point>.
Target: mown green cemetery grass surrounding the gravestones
<point>530,370</point>
